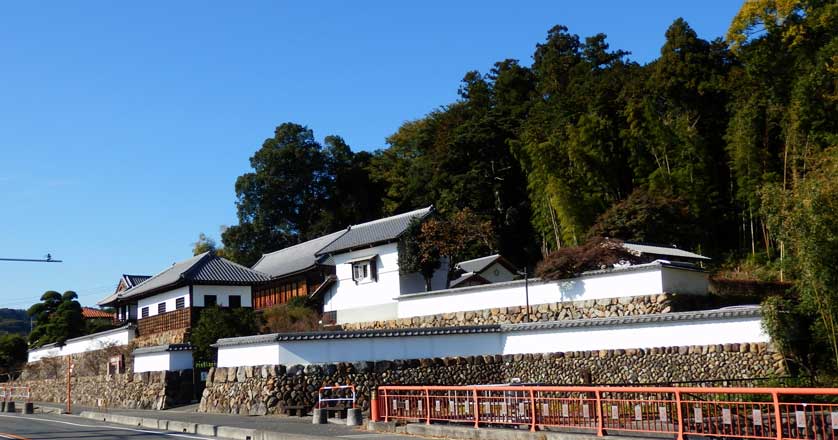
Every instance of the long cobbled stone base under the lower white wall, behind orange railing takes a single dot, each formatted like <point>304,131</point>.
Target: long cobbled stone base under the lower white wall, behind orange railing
<point>266,389</point>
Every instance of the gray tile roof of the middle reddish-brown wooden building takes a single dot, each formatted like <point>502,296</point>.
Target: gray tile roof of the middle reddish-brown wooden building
<point>295,258</point>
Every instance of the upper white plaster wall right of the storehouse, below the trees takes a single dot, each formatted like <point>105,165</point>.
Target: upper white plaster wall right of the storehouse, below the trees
<point>646,279</point>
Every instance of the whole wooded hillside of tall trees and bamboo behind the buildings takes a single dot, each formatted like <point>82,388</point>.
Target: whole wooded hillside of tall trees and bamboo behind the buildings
<point>723,145</point>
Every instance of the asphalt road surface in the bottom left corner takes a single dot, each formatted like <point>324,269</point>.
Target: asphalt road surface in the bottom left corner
<point>36,427</point>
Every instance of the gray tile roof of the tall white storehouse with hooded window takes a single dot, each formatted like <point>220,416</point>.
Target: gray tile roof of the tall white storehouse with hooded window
<point>377,231</point>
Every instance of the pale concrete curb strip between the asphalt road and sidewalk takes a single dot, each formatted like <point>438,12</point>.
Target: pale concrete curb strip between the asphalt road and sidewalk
<point>228,432</point>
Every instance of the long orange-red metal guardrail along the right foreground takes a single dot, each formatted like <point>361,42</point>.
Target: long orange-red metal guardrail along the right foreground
<point>746,413</point>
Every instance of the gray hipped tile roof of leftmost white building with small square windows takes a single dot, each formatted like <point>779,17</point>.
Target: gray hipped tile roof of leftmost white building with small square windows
<point>206,268</point>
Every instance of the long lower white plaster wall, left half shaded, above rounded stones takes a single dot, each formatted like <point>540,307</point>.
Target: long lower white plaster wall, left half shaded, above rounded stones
<point>696,331</point>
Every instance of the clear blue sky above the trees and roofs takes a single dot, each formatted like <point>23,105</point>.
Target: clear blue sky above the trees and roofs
<point>123,125</point>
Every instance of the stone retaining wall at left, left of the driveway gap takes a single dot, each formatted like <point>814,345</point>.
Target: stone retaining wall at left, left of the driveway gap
<point>158,390</point>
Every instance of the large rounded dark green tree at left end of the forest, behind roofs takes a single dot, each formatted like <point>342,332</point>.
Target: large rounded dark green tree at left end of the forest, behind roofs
<point>298,190</point>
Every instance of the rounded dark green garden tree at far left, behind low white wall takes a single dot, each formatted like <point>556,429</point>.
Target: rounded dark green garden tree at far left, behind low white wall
<point>57,318</point>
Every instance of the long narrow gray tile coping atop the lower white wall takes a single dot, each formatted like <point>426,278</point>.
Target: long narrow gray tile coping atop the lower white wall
<point>724,313</point>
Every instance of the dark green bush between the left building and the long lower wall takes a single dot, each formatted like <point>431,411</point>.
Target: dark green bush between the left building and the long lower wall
<point>215,323</point>
